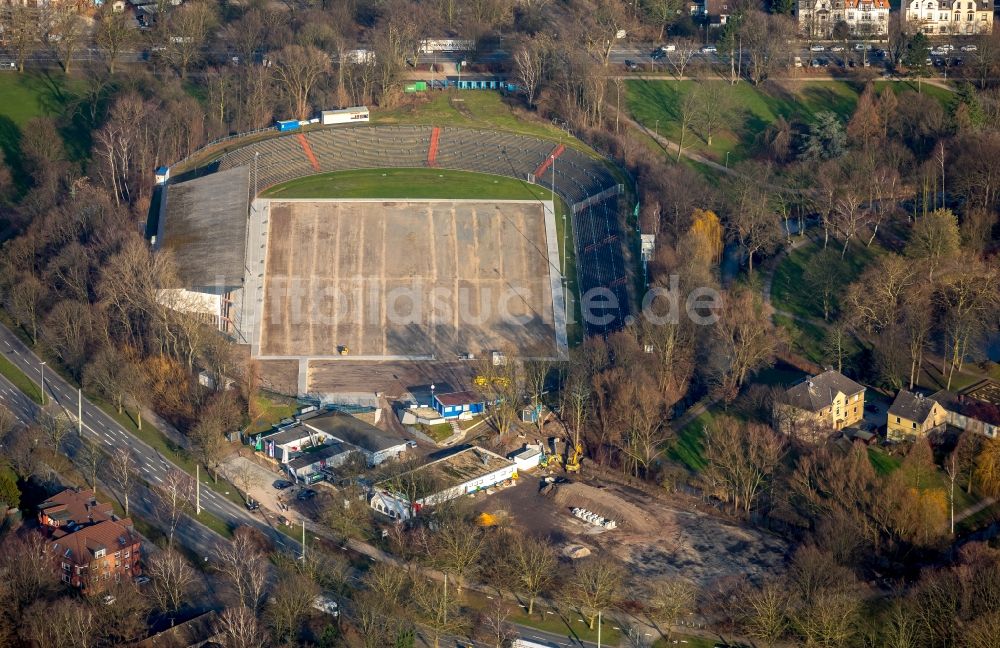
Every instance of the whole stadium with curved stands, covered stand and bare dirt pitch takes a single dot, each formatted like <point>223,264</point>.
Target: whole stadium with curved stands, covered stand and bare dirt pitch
<point>336,255</point>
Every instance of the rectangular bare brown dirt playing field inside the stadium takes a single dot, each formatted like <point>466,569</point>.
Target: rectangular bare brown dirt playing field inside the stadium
<point>399,280</point>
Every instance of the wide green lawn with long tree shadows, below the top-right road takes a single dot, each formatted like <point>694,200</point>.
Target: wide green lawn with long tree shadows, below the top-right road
<point>752,109</point>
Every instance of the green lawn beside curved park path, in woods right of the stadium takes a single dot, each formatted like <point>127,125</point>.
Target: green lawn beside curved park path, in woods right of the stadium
<point>790,293</point>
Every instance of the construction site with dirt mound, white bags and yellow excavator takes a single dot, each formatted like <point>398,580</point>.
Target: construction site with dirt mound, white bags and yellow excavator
<point>583,515</point>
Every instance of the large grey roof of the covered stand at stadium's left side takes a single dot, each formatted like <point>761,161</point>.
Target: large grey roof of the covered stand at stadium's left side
<point>205,226</point>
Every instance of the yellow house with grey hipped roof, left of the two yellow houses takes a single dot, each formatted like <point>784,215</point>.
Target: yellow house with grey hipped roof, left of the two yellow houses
<point>820,404</point>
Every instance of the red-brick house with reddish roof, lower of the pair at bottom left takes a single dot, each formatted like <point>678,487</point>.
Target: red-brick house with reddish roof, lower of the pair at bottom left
<point>95,556</point>
